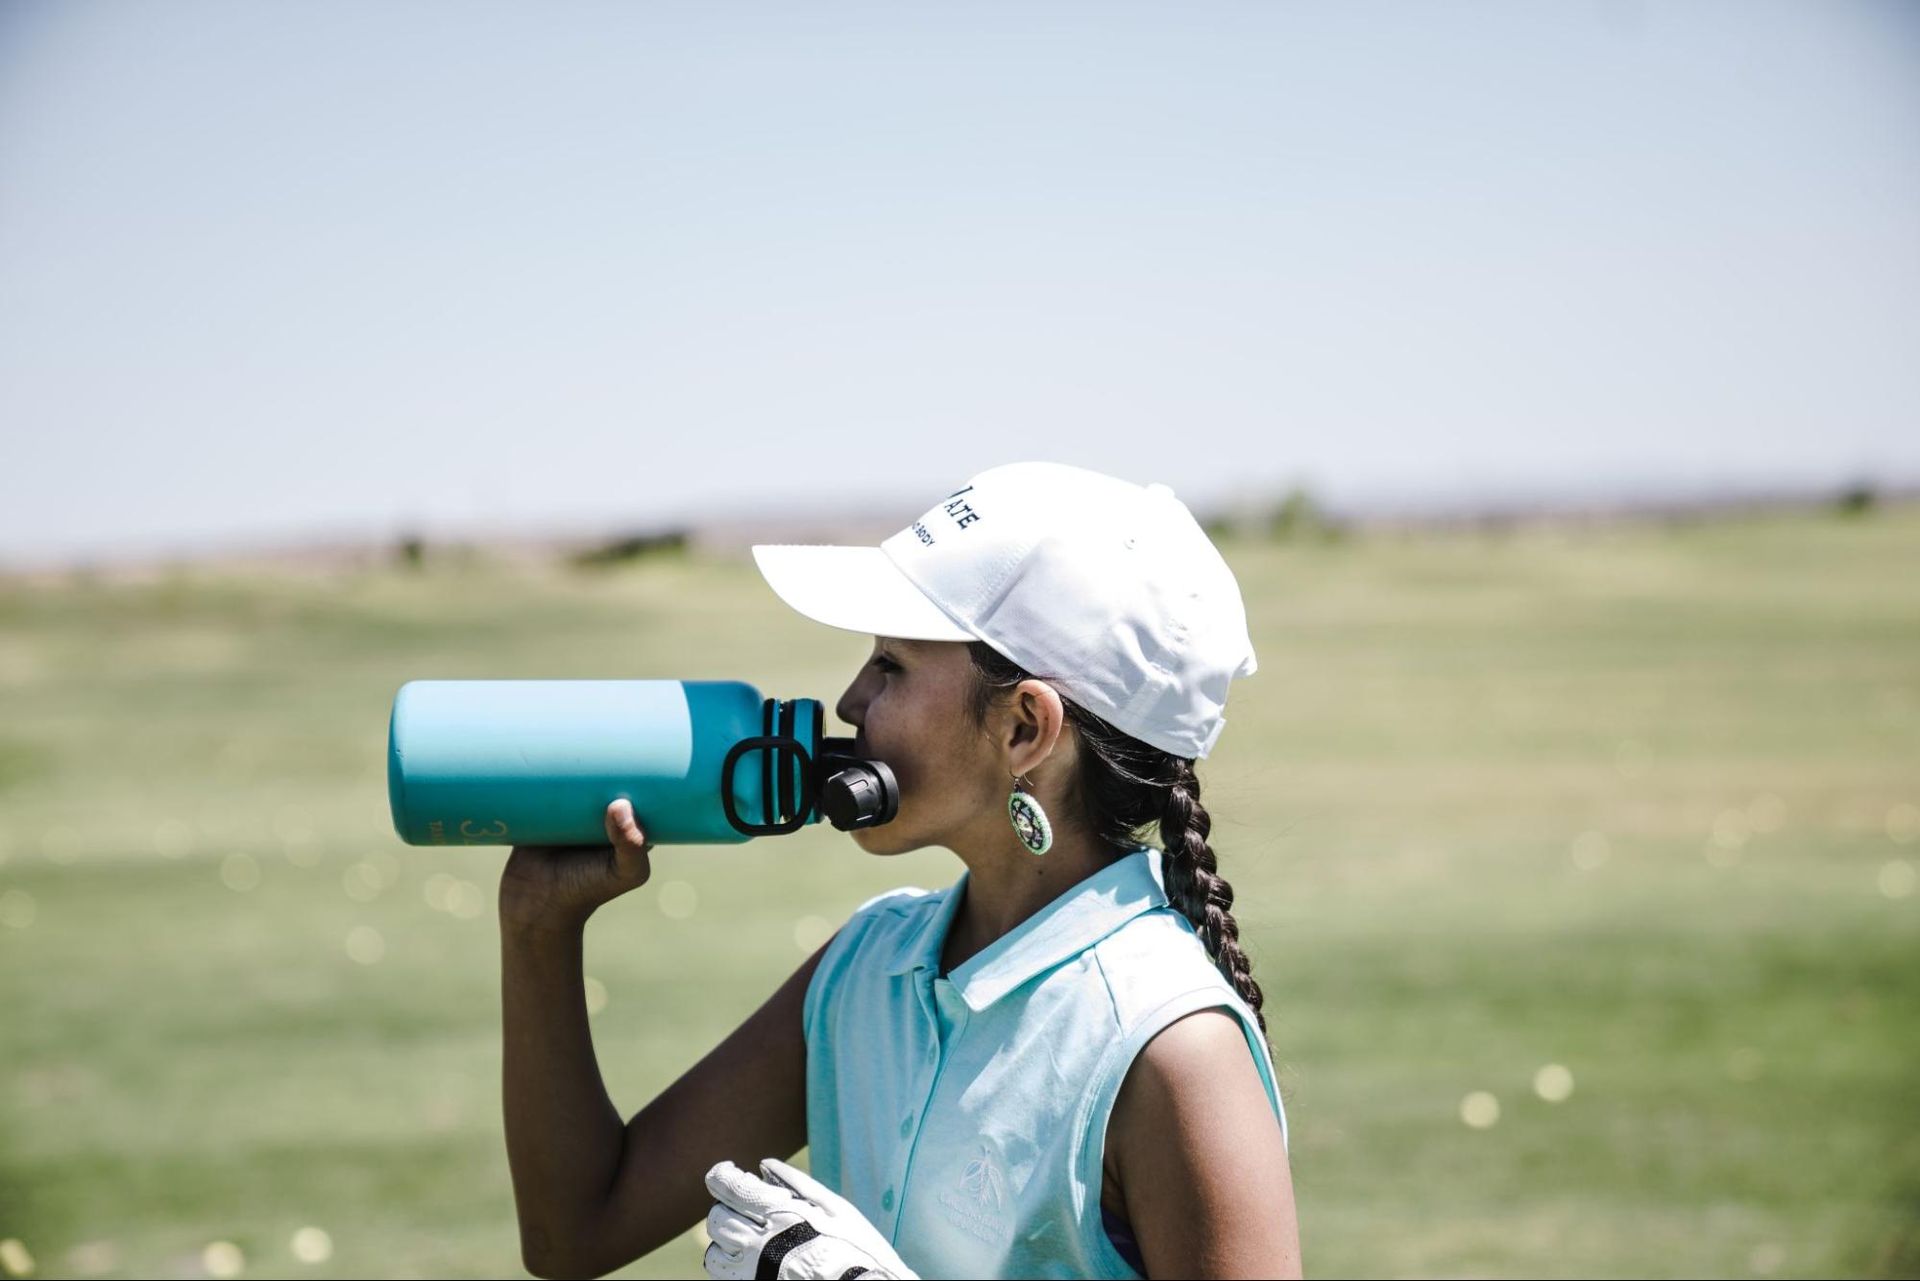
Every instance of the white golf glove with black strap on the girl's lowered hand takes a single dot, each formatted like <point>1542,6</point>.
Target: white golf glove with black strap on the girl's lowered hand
<point>788,1224</point>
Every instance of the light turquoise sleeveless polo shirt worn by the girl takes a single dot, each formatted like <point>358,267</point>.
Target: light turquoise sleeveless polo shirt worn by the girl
<point>967,1115</point>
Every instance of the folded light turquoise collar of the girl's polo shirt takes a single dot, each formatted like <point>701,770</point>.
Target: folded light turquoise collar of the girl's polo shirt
<point>1065,929</point>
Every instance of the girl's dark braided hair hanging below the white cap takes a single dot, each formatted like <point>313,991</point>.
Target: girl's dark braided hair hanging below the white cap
<point>1120,790</point>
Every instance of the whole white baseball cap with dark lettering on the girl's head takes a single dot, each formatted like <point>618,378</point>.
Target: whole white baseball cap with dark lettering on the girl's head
<point>1107,589</point>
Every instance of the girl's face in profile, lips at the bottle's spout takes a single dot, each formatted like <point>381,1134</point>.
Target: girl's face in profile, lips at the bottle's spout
<point>909,710</point>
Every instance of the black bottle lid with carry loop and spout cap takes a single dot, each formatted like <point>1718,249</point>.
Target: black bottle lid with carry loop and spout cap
<point>848,790</point>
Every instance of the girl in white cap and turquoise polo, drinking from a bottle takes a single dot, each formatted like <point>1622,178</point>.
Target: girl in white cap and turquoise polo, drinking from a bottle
<point>1055,1067</point>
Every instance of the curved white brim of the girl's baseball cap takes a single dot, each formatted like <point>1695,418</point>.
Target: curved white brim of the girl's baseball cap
<point>853,589</point>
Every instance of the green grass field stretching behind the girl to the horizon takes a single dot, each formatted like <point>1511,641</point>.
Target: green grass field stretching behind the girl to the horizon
<point>1643,804</point>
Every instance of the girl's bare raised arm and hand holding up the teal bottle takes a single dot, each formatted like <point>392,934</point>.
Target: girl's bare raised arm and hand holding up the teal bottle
<point>592,1194</point>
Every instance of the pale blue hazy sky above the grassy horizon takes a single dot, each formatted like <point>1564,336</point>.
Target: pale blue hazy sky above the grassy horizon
<point>352,268</point>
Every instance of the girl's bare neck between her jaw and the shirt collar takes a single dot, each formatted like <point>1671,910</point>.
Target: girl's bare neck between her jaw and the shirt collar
<point>1007,884</point>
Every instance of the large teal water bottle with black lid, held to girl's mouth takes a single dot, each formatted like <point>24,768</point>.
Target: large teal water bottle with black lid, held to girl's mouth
<point>539,763</point>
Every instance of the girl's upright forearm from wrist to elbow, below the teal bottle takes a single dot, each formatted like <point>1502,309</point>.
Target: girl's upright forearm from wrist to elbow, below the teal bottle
<point>564,1130</point>
